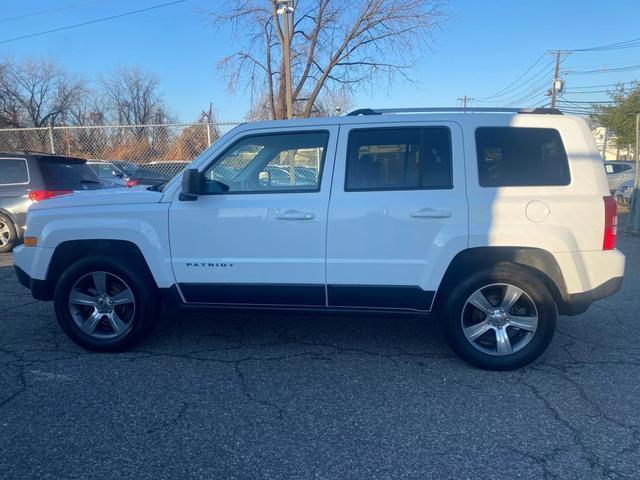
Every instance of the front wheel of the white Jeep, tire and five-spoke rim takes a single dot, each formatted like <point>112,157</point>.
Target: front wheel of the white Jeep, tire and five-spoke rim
<point>111,314</point>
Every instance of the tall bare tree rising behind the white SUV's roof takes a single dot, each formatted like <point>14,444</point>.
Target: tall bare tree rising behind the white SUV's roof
<point>334,46</point>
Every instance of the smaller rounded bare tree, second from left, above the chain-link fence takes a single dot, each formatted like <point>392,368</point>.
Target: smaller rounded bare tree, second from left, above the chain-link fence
<point>133,97</point>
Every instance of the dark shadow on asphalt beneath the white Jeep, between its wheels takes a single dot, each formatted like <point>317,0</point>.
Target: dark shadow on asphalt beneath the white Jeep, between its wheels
<point>337,333</point>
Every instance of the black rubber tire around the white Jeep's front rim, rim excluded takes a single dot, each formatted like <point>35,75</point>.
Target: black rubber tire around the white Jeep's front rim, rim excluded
<point>144,292</point>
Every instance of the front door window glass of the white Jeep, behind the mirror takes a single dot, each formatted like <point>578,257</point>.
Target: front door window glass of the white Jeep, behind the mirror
<point>289,162</point>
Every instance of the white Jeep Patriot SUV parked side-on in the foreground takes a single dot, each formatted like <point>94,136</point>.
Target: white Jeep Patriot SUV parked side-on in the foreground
<point>497,221</point>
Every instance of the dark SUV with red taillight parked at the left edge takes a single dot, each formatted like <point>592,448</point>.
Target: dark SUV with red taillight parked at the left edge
<point>26,178</point>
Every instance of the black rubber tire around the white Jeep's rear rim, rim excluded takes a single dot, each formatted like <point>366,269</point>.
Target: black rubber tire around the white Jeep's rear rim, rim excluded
<point>533,286</point>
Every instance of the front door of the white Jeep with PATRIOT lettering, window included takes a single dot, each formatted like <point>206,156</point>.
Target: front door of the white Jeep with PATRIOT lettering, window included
<point>263,242</point>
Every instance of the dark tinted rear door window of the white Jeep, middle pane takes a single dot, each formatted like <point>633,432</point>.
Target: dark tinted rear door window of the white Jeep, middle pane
<point>399,159</point>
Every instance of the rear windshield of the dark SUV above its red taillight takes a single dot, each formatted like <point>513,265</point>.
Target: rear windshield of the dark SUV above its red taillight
<point>72,175</point>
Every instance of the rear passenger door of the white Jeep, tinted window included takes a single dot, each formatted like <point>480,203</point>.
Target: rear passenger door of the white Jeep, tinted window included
<point>398,214</point>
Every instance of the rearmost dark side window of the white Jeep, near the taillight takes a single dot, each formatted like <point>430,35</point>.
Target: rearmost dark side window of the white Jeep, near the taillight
<point>517,157</point>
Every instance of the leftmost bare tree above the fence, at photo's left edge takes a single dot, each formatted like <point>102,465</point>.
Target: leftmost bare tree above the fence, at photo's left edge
<point>36,93</point>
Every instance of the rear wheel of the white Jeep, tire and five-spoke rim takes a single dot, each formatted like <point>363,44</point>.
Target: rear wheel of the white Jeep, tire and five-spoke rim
<point>479,338</point>
